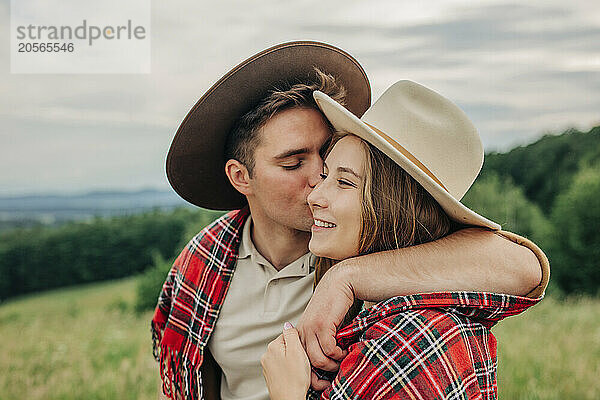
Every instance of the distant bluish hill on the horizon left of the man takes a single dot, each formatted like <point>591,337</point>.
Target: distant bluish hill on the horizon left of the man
<point>46,209</point>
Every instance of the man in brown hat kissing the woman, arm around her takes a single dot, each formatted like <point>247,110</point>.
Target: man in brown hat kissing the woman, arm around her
<point>253,143</point>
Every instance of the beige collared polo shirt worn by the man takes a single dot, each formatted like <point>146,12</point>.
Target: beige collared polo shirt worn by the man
<point>259,301</point>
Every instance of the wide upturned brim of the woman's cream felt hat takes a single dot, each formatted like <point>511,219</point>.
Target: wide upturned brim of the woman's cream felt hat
<point>343,120</point>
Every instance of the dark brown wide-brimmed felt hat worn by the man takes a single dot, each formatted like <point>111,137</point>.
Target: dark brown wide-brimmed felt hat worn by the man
<point>196,161</point>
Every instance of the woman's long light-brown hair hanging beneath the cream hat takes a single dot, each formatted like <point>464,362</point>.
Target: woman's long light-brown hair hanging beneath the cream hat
<point>396,212</point>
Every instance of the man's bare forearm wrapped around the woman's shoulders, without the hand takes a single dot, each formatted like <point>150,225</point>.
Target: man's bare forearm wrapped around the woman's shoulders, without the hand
<point>471,259</point>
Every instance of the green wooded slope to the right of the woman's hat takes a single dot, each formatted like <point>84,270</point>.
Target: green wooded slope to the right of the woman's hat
<point>549,191</point>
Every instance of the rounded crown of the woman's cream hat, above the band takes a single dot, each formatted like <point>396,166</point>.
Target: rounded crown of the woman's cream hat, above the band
<point>433,130</point>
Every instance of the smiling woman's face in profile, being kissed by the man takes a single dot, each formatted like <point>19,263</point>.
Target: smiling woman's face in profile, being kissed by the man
<point>336,201</point>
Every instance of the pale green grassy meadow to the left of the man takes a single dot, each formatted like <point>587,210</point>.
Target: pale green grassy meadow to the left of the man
<point>77,343</point>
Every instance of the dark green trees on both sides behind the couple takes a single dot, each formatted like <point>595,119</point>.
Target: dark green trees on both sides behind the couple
<point>548,191</point>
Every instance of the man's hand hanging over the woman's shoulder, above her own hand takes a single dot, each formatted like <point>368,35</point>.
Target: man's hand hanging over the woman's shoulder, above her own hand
<point>318,325</point>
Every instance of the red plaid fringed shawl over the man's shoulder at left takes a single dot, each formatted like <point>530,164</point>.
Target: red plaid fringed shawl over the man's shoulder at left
<point>189,303</point>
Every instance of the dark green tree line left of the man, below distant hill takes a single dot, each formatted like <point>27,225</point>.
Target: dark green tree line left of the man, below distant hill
<point>42,258</point>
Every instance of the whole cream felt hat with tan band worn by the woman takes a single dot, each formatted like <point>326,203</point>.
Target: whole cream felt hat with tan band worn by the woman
<point>425,134</point>
